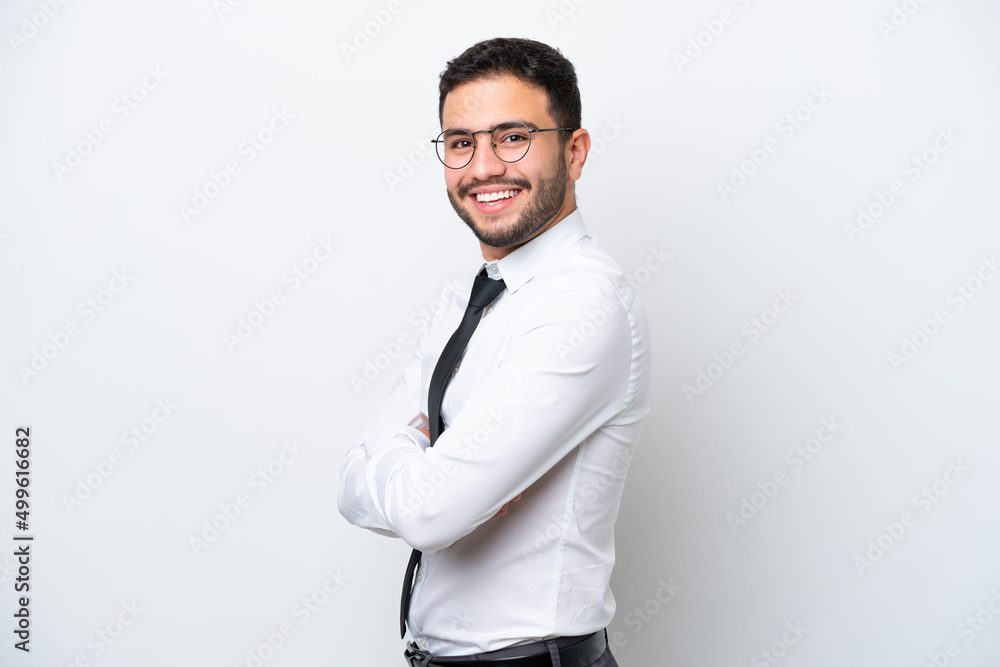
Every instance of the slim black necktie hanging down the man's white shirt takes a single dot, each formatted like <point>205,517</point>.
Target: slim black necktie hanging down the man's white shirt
<point>484,291</point>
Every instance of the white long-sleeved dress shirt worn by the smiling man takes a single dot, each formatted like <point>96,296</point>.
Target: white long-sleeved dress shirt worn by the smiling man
<point>546,402</point>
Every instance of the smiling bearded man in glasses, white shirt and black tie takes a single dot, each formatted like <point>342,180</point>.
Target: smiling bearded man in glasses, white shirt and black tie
<point>504,470</point>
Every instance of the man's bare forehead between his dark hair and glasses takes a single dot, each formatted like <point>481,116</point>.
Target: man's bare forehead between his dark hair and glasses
<point>482,104</point>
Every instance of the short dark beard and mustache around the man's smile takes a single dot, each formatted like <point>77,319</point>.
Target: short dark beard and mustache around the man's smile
<point>547,201</point>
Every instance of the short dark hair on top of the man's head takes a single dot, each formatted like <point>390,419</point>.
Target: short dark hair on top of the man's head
<point>533,62</point>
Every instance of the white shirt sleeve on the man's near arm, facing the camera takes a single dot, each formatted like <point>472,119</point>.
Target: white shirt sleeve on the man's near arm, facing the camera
<point>556,383</point>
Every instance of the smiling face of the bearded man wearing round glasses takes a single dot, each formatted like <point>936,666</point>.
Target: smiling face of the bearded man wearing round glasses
<point>535,190</point>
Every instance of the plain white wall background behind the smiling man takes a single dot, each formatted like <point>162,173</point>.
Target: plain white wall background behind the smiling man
<point>350,167</point>
